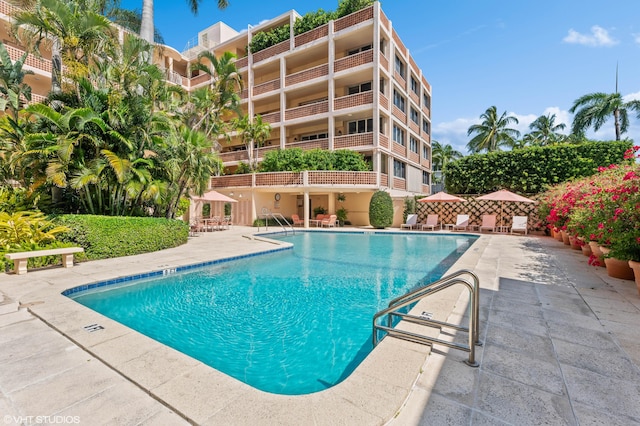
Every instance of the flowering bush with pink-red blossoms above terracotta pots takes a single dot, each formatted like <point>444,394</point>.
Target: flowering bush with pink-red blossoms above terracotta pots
<point>604,208</point>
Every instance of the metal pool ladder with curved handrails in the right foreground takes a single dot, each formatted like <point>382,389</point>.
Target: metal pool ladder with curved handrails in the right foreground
<point>457,278</point>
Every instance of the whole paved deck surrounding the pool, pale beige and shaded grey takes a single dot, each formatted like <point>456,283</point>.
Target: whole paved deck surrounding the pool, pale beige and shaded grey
<point>561,346</point>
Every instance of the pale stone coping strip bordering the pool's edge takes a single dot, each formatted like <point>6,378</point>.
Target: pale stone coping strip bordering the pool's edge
<point>372,394</point>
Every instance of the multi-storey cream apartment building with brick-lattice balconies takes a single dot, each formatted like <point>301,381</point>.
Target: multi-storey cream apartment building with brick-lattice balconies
<point>349,84</point>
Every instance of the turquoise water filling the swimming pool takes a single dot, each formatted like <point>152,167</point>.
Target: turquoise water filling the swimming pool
<point>292,322</point>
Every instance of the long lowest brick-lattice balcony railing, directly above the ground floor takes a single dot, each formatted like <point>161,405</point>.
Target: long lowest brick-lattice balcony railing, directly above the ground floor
<point>297,179</point>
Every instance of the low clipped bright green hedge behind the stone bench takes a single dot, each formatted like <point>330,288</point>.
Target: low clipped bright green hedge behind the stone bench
<point>104,237</point>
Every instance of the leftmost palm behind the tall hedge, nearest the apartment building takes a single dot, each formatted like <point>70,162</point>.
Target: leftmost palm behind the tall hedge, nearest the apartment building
<point>493,132</point>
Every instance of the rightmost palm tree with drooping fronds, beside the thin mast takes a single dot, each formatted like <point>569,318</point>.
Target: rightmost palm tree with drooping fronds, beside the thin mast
<point>594,109</point>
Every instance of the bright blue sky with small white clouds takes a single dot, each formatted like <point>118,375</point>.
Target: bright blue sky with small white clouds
<point>528,58</point>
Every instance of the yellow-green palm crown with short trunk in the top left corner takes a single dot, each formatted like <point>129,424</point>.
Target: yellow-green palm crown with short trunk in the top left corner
<point>75,30</point>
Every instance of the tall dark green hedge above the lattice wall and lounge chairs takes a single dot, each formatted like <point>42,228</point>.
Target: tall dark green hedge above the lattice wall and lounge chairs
<point>532,169</point>
